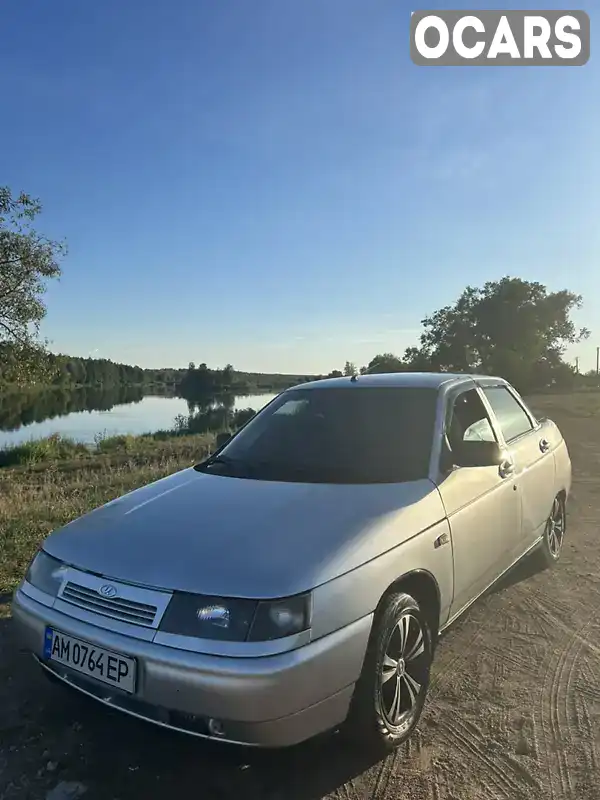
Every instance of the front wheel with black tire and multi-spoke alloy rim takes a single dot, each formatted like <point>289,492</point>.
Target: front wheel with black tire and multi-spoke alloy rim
<point>391,691</point>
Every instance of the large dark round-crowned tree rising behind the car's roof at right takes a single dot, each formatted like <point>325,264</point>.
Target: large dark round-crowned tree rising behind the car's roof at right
<point>511,327</point>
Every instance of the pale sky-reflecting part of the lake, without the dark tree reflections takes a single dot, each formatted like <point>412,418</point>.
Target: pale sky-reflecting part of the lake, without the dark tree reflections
<point>147,415</point>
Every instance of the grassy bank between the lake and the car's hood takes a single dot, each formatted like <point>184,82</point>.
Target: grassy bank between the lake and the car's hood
<point>56,480</point>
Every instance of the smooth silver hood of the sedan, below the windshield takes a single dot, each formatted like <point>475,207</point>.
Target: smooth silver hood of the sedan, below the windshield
<point>243,538</point>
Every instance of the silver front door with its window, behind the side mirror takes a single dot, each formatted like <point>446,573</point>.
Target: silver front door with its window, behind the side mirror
<point>482,503</point>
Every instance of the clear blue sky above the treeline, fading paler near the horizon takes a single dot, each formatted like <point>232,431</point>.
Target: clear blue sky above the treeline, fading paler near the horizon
<point>274,184</point>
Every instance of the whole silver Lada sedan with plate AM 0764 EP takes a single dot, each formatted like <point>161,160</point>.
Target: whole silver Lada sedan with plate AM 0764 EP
<point>297,580</point>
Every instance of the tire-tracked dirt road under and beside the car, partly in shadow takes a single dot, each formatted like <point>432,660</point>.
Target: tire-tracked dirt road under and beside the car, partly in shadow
<point>514,711</point>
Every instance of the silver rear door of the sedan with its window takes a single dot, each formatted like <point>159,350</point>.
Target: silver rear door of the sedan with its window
<point>530,445</point>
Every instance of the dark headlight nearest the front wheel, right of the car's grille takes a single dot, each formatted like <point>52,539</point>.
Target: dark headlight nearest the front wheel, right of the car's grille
<point>235,620</point>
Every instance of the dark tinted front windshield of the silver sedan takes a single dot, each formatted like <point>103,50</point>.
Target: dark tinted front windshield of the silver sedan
<point>336,435</point>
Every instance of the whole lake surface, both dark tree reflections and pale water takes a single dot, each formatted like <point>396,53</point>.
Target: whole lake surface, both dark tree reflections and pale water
<point>85,412</point>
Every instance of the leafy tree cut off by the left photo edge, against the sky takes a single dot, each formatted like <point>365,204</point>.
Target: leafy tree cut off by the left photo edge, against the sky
<point>27,261</point>
